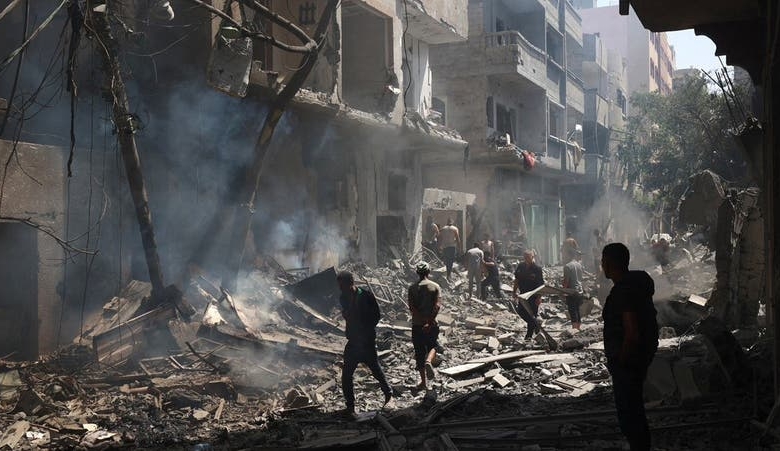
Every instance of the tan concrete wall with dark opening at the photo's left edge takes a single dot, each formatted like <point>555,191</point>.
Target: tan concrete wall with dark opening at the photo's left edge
<point>30,304</point>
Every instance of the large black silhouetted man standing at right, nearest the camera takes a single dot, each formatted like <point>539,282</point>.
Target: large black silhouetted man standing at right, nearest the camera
<point>630,340</point>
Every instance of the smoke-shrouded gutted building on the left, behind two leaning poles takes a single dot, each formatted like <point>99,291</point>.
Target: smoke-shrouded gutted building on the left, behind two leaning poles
<point>343,178</point>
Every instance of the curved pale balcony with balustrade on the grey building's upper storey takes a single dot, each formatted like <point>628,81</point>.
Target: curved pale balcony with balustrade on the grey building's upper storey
<point>510,51</point>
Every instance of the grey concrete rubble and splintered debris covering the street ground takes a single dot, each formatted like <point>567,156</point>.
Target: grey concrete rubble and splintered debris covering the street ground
<point>264,369</point>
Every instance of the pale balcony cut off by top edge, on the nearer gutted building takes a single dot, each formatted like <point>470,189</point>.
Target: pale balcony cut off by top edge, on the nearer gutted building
<point>437,22</point>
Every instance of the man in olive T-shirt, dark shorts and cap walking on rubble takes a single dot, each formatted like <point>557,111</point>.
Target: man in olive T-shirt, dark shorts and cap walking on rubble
<point>424,302</point>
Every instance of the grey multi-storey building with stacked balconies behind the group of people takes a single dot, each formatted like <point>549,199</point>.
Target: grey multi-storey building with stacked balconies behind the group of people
<point>514,90</point>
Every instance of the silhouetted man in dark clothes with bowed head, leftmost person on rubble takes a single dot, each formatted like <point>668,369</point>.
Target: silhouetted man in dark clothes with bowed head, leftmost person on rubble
<point>361,312</point>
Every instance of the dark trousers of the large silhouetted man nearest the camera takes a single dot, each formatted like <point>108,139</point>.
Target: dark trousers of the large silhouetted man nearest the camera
<point>628,383</point>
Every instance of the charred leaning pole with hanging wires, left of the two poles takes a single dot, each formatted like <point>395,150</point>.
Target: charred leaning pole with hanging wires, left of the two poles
<point>96,15</point>
